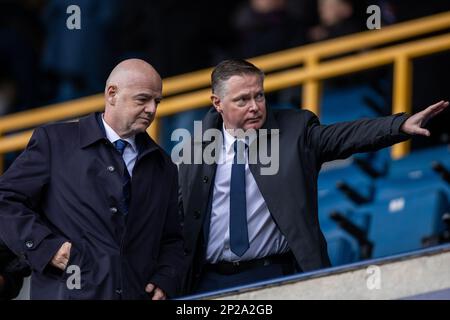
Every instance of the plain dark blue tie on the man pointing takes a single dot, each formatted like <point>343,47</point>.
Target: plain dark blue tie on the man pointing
<point>238,205</point>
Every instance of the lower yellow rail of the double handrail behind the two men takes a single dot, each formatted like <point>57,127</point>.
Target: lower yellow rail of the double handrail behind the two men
<point>283,79</point>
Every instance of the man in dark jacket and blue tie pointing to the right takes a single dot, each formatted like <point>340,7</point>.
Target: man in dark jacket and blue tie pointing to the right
<point>242,226</point>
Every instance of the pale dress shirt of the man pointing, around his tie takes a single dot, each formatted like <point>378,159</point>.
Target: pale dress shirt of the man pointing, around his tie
<point>265,239</point>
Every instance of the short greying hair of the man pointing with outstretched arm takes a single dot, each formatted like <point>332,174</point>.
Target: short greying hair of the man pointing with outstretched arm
<point>228,68</point>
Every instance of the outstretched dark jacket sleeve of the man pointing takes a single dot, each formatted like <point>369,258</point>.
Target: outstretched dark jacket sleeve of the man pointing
<point>340,140</point>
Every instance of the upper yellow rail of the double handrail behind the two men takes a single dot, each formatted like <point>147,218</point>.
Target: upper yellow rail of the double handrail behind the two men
<point>270,62</point>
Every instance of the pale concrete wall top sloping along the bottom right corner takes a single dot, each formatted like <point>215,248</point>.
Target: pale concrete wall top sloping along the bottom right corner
<point>393,278</point>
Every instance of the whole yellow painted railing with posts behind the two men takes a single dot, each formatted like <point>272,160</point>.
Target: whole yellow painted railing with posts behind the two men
<point>300,66</point>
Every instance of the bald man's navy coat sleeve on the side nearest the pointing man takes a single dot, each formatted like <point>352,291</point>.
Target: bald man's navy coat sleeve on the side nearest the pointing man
<point>171,261</point>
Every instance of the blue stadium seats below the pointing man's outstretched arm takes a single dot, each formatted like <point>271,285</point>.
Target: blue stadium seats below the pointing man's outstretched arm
<point>406,208</point>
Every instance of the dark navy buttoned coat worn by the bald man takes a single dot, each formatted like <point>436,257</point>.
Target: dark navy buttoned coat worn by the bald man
<point>67,186</point>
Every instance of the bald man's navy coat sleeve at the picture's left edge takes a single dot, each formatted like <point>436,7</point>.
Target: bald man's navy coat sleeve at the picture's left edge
<point>22,188</point>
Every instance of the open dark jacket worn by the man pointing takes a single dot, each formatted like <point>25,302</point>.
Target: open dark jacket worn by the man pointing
<point>291,194</point>
